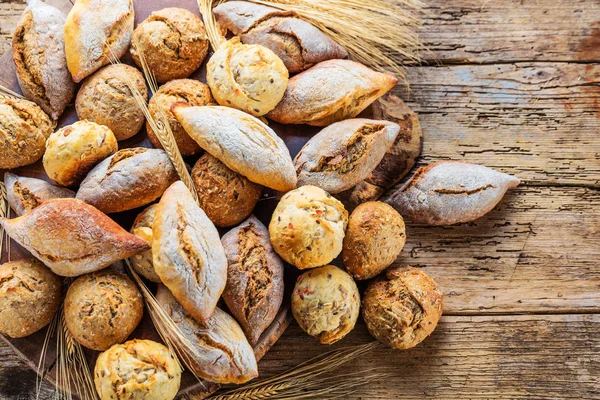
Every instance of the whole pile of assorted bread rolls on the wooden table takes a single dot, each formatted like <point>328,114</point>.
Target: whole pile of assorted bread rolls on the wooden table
<point>175,242</point>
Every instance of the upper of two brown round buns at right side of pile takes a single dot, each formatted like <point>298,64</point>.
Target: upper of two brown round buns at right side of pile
<point>374,238</point>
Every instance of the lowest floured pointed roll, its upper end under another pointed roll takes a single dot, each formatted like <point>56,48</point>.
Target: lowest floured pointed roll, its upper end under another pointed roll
<point>220,351</point>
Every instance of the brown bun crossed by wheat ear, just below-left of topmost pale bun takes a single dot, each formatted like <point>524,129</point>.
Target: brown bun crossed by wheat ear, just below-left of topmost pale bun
<point>189,91</point>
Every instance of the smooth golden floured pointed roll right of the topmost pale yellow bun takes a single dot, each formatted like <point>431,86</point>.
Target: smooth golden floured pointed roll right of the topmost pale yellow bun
<point>329,92</point>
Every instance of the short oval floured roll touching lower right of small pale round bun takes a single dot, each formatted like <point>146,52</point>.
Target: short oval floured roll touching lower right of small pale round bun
<point>128,179</point>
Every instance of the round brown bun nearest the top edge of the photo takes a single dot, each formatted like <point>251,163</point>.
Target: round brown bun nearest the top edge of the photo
<point>173,43</point>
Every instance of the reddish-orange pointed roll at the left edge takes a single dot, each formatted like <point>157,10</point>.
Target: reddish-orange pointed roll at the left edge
<point>72,238</point>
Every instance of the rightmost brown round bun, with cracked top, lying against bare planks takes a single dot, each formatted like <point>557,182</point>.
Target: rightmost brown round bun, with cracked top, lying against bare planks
<point>402,307</point>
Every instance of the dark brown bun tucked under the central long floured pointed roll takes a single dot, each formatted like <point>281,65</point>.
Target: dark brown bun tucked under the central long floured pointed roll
<point>225,196</point>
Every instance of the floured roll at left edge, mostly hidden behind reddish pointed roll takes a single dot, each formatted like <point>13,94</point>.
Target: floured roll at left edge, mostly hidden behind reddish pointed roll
<point>24,194</point>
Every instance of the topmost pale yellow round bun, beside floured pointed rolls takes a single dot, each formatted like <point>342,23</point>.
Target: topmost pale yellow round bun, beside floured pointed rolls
<point>250,78</point>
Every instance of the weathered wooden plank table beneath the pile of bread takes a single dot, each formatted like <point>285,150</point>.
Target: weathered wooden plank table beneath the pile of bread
<point>514,85</point>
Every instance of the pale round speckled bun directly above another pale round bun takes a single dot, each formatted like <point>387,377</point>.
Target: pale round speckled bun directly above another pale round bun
<point>307,227</point>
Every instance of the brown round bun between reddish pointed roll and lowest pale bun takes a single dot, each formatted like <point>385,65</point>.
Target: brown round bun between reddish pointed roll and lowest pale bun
<point>102,309</point>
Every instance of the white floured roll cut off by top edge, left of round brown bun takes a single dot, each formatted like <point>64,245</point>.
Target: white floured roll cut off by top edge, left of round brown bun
<point>94,29</point>
